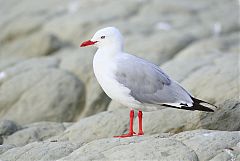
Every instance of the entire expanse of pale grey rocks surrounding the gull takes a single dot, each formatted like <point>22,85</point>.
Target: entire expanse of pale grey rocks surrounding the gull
<point>52,108</point>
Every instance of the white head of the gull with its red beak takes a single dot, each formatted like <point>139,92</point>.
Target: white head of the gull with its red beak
<point>108,37</point>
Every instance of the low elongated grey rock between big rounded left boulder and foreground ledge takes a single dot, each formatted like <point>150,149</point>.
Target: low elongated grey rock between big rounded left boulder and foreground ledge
<point>35,132</point>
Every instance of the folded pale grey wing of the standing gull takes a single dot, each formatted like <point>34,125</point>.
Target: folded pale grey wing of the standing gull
<point>148,83</point>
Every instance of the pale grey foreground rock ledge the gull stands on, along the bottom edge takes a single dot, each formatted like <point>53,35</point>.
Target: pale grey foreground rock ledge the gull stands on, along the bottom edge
<point>190,145</point>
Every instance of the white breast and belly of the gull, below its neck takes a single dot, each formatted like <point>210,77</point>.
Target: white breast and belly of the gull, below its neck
<point>104,69</point>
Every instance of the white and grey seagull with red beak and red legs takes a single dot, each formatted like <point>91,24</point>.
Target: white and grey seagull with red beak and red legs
<point>135,82</point>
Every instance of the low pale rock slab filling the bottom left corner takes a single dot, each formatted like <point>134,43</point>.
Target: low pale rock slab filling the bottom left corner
<point>41,151</point>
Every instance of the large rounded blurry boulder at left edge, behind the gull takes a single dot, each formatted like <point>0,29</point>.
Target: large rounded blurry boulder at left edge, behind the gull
<point>41,93</point>
